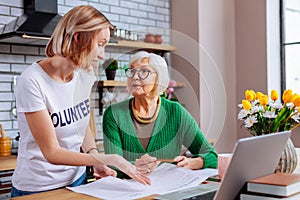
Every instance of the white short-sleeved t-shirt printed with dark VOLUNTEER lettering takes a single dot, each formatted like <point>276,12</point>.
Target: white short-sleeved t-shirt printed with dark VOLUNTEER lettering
<point>68,105</point>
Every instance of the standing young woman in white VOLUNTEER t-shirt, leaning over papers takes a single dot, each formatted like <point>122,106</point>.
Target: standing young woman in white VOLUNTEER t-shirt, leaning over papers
<point>52,98</point>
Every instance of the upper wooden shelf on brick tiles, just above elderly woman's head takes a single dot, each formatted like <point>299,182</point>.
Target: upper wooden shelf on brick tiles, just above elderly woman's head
<point>141,45</point>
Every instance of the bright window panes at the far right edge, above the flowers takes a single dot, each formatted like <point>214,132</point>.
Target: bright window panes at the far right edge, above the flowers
<point>290,30</point>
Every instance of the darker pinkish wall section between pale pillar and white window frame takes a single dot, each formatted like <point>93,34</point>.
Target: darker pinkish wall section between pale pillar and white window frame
<point>251,49</point>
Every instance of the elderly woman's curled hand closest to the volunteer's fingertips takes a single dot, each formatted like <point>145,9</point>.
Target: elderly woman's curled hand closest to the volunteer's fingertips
<point>146,164</point>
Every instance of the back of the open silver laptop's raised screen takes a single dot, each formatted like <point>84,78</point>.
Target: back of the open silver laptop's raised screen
<point>252,157</point>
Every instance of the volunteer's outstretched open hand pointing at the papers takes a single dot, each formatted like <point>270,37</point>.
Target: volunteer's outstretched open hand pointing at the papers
<point>123,165</point>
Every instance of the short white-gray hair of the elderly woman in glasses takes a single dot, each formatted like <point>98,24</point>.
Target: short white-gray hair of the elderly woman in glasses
<point>159,64</point>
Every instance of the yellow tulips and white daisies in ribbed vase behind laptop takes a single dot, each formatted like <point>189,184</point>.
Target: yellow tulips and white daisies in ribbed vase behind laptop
<point>263,115</point>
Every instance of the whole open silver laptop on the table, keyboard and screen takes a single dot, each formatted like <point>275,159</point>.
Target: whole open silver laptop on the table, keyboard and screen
<point>252,157</point>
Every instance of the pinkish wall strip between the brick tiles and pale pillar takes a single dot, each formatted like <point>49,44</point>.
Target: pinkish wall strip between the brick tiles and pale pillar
<point>185,61</point>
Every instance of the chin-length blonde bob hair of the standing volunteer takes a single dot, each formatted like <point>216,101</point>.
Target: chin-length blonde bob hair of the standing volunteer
<point>86,22</point>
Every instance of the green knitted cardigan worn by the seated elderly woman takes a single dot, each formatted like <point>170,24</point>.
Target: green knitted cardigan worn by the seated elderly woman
<point>173,128</point>
